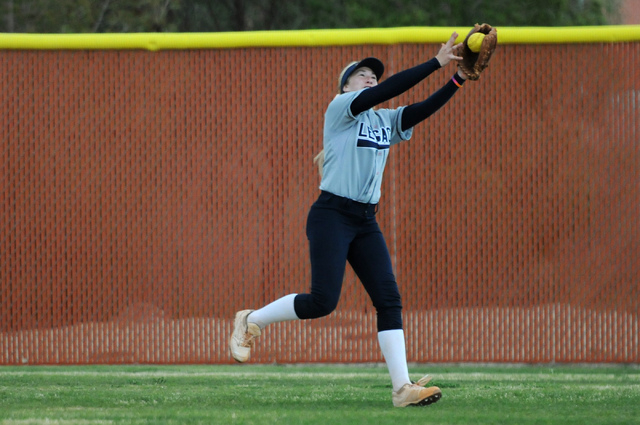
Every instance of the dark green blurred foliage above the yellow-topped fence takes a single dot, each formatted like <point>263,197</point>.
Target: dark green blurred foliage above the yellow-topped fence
<point>63,16</point>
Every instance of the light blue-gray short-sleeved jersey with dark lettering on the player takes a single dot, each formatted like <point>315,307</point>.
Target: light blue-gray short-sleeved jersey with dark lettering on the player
<point>356,148</point>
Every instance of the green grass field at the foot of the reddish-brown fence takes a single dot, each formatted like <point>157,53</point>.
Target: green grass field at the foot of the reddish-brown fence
<point>322,394</point>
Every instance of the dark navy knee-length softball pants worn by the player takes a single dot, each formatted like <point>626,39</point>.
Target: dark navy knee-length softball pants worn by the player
<point>341,230</point>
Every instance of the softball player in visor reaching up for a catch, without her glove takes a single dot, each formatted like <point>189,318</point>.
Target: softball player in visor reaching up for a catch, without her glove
<point>341,225</point>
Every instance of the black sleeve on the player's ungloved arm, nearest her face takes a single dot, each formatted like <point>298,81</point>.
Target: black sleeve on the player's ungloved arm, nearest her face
<point>393,86</point>
